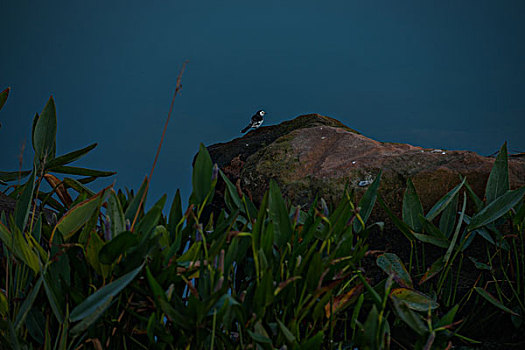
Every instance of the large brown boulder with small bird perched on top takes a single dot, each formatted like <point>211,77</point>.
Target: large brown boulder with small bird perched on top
<point>317,155</point>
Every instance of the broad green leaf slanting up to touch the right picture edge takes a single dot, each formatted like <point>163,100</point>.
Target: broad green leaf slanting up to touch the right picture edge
<point>496,209</point>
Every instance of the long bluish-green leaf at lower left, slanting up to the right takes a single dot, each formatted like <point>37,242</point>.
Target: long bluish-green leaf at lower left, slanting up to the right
<point>90,306</point>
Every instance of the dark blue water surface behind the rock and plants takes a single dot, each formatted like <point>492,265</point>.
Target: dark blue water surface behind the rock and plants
<point>441,74</point>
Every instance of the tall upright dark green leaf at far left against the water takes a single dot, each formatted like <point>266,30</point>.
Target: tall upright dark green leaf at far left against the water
<point>44,138</point>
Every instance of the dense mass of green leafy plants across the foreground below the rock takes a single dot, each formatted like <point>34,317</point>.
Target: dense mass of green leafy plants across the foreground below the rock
<point>272,276</point>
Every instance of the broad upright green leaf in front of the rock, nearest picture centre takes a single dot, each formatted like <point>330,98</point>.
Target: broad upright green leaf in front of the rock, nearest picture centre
<point>279,216</point>
